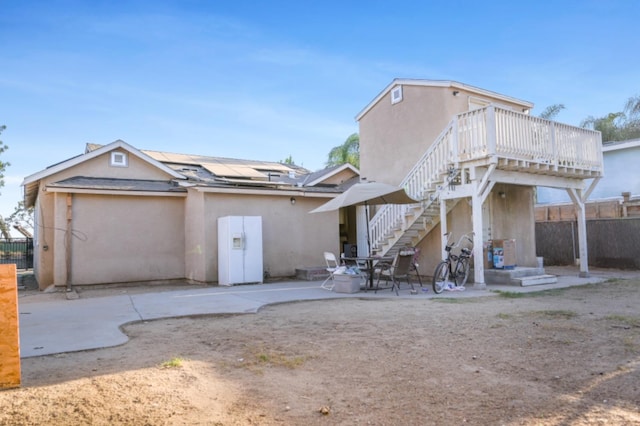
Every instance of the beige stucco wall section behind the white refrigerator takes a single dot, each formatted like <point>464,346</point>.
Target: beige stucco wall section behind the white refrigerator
<point>292,238</point>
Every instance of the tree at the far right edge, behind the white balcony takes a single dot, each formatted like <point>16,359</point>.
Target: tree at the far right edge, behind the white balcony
<point>617,126</point>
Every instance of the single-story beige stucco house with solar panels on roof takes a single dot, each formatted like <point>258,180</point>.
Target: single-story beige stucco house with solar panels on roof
<point>117,214</point>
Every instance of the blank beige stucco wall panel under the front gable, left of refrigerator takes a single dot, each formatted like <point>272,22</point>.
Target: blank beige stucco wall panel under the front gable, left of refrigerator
<point>127,239</point>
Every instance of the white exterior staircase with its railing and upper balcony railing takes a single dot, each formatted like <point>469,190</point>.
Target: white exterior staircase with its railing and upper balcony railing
<point>493,138</point>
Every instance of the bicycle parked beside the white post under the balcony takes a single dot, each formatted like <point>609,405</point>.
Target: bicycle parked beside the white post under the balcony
<point>454,266</point>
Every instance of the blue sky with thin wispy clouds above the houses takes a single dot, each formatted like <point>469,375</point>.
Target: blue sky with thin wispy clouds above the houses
<point>265,80</point>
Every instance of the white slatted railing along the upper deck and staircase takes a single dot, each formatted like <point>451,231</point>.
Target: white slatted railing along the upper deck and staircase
<point>490,133</point>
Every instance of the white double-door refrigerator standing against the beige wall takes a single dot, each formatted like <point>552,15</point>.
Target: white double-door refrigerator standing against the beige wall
<point>239,250</point>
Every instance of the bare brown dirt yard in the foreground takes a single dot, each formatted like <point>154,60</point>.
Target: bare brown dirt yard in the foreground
<point>561,357</point>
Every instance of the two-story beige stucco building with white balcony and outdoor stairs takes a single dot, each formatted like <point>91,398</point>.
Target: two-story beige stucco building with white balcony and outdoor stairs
<point>473,157</point>
